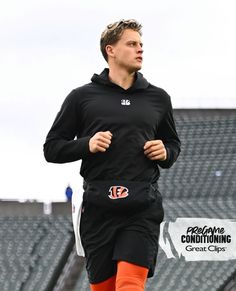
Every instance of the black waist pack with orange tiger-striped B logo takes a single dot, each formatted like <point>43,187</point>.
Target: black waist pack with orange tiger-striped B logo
<point>120,195</point>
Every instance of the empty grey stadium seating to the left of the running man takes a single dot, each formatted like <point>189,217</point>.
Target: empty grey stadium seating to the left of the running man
<point>33,247</point>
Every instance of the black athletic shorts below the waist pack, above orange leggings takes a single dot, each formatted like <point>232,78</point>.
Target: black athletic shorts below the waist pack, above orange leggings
<point>110,237</point>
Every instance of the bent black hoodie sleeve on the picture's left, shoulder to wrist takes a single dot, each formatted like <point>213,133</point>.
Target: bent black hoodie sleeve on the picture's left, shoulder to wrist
<point>60,145</point>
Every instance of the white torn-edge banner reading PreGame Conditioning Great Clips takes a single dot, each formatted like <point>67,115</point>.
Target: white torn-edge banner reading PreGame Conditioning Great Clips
<point>199,239</point>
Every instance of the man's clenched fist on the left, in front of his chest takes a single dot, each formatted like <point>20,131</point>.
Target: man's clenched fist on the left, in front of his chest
<point>100,142</point>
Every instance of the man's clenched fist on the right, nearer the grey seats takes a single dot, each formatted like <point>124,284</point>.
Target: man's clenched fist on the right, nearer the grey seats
<point>155,150</point>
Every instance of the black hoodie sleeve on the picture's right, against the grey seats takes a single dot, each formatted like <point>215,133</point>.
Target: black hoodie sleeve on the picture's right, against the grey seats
<point>168,134</point>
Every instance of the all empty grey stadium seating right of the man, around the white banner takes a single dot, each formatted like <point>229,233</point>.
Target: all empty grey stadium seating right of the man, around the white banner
<point>202,183</point>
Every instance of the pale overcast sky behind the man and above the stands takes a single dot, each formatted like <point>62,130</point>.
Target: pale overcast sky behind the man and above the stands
<point>50,47</point>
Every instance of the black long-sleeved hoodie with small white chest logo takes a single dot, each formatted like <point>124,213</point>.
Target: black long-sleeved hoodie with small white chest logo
<point>136,115</point>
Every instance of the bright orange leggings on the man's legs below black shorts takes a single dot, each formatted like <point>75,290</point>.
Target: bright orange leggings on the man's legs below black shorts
<point>129,277</point>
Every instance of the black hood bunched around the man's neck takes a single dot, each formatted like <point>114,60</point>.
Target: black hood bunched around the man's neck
<point>103,79</point>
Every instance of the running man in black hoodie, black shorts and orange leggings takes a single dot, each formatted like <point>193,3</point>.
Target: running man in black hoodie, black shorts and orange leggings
<point>122,128</point>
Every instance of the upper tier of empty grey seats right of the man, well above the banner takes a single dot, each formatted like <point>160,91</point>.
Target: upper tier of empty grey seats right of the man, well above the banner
<point>207,164</point>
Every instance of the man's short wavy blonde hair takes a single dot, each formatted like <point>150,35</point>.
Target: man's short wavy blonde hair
<point>114,31</point>
